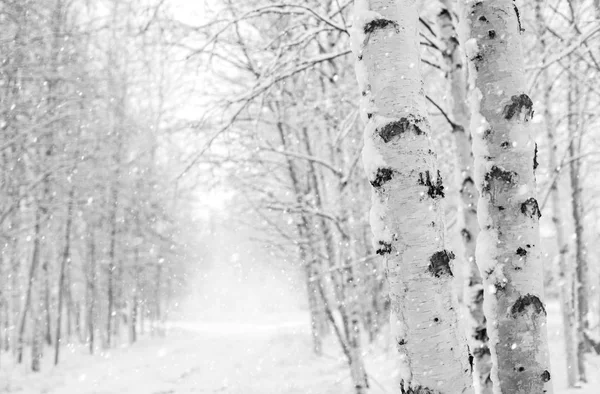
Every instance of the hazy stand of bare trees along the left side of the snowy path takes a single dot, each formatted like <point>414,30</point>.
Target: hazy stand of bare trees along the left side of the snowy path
<point>93,230</point>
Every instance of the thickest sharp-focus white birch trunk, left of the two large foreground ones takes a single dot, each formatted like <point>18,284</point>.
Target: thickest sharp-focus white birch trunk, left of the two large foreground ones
<point>407,214</point>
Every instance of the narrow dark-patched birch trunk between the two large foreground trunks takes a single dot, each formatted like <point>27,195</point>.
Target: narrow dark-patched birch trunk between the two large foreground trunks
<point>469,228</point>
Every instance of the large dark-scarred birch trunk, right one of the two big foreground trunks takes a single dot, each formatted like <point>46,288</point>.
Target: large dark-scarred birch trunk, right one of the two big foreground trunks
<point>508,246</point>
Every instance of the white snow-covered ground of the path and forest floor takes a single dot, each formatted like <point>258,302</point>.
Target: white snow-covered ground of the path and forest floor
<point>272,356</point>
